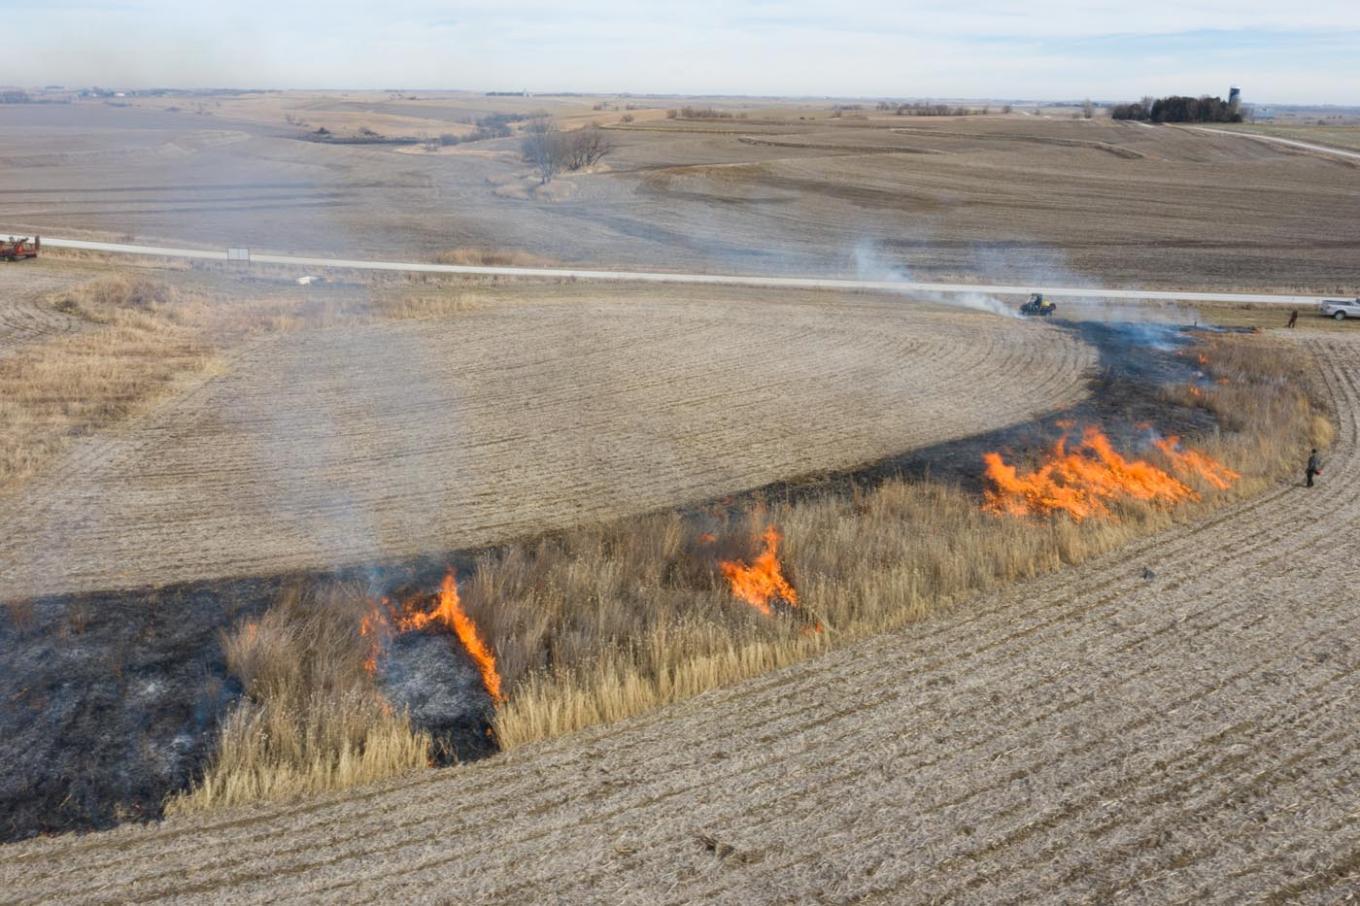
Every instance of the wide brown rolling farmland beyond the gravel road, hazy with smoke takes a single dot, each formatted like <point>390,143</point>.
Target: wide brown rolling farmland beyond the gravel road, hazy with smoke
<point>789,190</point>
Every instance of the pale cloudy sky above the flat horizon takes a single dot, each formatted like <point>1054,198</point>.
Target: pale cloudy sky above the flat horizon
<point>1308,51</point>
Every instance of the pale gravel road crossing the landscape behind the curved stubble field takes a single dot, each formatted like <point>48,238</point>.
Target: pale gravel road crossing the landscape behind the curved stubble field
<point>723,280</point>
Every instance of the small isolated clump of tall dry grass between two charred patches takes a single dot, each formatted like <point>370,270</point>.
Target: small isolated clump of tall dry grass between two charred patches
<point>312,719</point>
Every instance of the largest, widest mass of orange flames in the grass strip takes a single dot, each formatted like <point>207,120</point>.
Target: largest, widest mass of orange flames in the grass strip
<point>1081,484</point>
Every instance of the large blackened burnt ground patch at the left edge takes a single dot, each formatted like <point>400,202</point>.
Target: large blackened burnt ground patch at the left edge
<point>109,703</point>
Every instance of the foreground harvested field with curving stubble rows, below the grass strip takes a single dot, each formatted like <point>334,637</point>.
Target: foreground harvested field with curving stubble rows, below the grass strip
<point>1097,735</point>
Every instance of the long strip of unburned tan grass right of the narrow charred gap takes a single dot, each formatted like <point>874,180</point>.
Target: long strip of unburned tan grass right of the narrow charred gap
<point>610,622</point>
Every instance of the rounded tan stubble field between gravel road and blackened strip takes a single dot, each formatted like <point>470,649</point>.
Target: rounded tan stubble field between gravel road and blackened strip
<point>354,446</point>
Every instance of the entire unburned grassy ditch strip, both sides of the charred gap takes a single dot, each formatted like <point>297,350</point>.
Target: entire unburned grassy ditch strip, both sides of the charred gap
<point>606,622</point>
